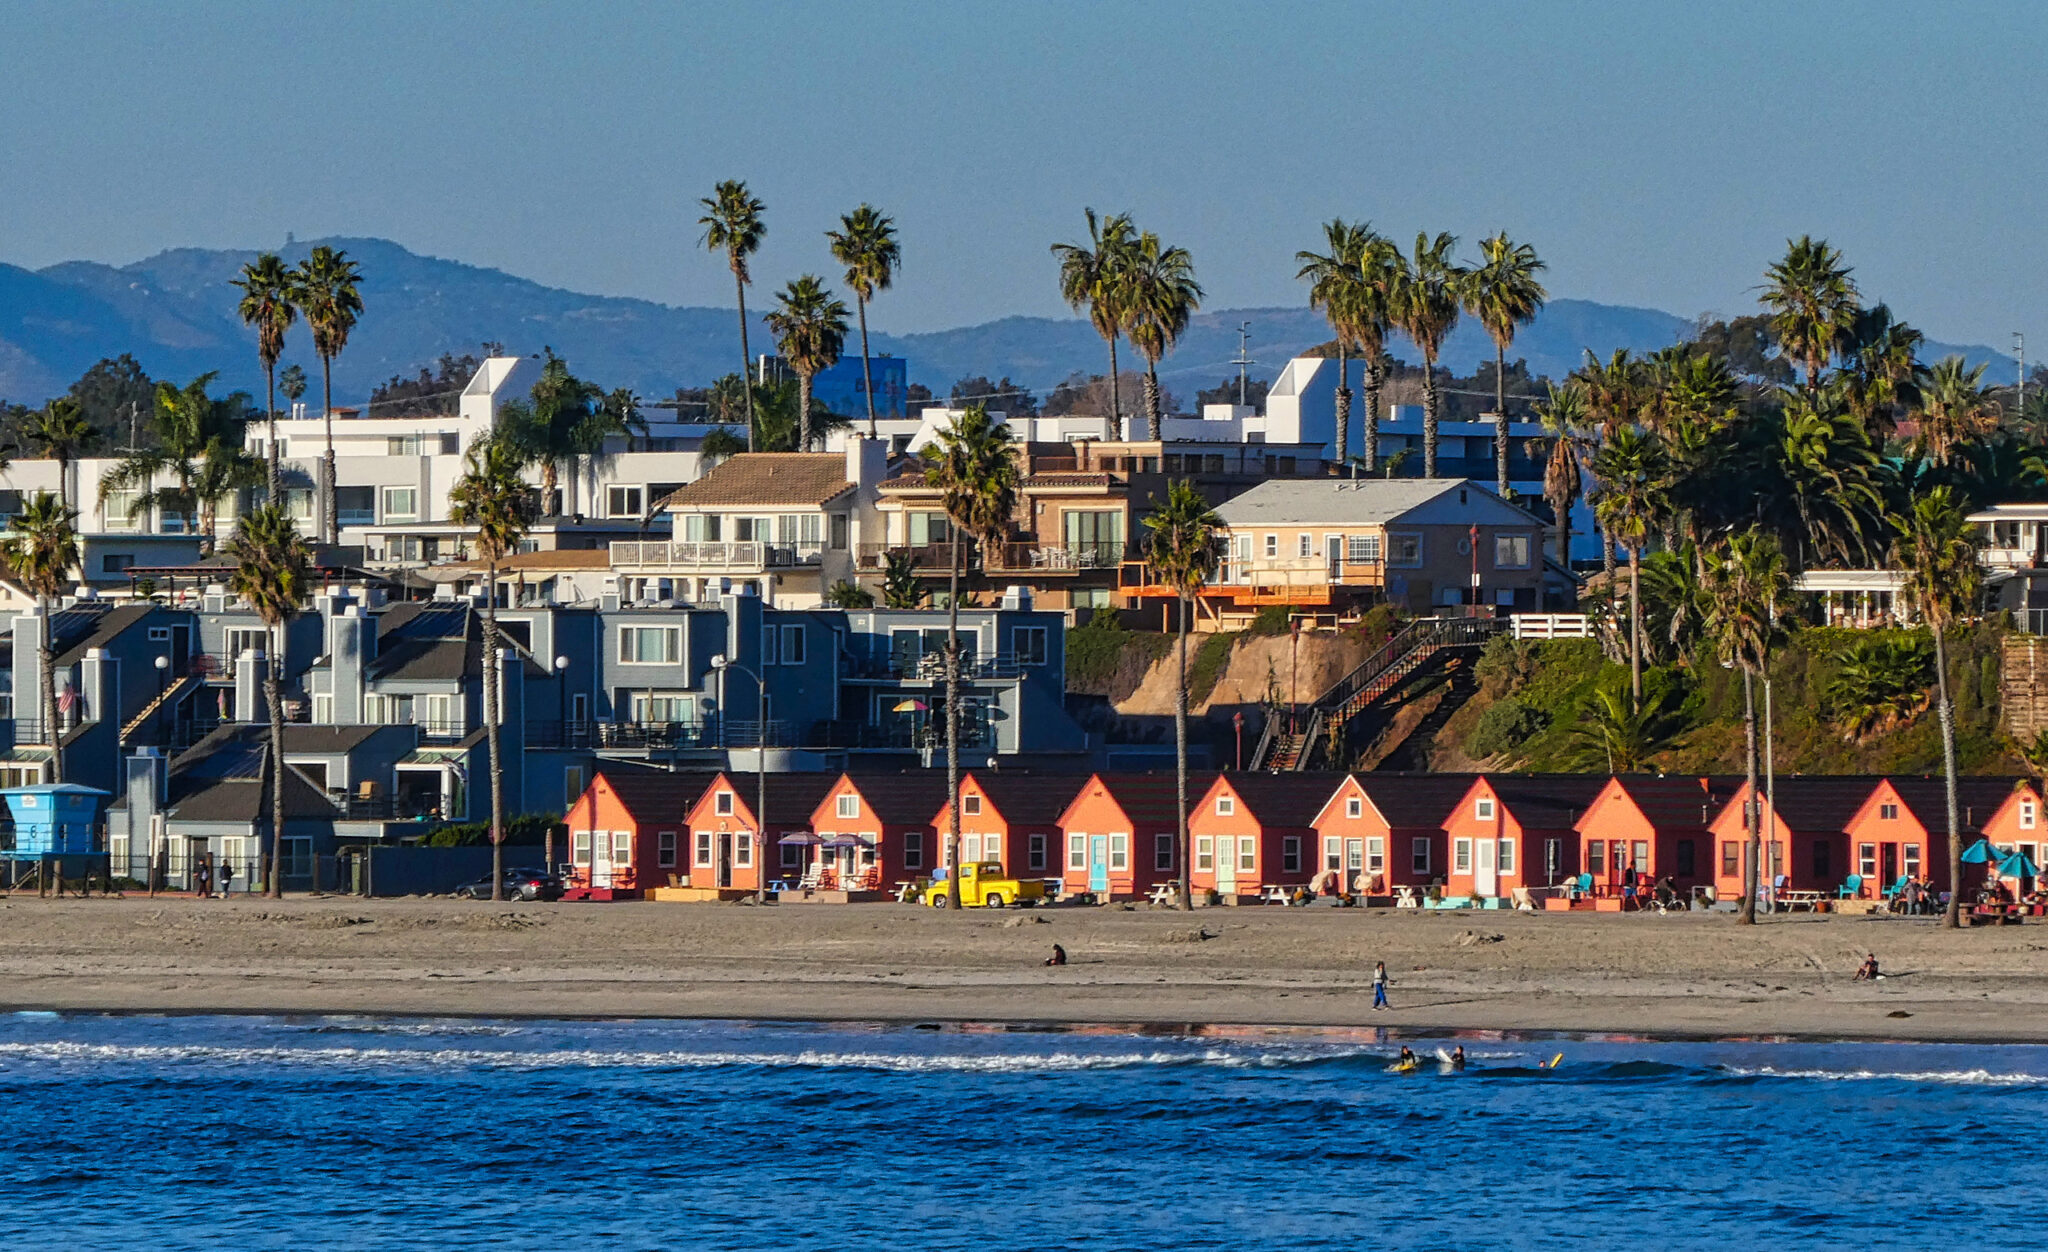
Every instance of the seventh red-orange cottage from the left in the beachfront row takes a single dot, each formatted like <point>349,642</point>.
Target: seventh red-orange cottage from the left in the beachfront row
<point>1388,831</point>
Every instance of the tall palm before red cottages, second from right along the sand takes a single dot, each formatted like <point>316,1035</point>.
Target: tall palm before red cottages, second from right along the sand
<point>1746,581</point>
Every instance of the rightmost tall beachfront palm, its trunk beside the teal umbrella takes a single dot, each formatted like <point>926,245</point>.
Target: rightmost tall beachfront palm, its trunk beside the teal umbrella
<point>1936,554</point>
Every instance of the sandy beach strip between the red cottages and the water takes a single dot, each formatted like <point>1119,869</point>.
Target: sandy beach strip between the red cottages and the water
<point>1230,966</point>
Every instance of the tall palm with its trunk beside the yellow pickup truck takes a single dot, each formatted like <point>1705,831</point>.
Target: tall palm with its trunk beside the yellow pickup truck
<point>976,470</point>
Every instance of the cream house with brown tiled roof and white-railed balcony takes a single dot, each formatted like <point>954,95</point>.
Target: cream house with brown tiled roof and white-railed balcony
<point>783,524</point>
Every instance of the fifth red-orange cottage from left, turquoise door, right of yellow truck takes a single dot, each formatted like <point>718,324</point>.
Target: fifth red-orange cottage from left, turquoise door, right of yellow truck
<point>1121,837</point>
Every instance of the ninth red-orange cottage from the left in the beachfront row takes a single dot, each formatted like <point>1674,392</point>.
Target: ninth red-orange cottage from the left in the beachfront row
<point>1660,827</point>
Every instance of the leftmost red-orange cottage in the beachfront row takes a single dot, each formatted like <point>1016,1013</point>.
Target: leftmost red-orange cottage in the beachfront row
<point>626,831</point>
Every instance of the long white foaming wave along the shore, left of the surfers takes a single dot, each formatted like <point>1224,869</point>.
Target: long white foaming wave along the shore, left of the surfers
<point>478,1058</point>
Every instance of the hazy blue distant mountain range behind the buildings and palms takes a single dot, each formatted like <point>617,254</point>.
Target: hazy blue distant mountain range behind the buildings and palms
<point>177,317</point>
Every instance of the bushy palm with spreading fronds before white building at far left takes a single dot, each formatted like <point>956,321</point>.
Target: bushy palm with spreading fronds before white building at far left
<point>200,448</point>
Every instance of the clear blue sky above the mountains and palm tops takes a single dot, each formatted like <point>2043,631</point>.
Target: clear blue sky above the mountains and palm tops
<point>1656,155</point>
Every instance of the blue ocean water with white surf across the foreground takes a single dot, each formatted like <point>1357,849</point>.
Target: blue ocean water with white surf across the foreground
<point>339,1132</point>
